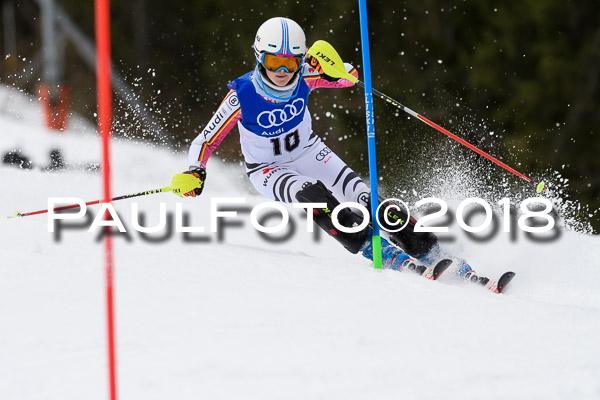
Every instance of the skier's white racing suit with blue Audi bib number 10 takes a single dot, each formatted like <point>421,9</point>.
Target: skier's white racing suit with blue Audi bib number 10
<point>281,151</point>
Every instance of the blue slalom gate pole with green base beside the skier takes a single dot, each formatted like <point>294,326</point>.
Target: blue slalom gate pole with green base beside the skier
<point>364,35</point>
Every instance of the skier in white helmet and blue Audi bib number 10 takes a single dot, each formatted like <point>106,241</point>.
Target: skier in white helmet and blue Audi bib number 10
<point>286,161</point>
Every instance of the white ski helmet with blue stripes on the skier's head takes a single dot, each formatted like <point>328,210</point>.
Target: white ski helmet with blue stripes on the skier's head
<point>279,36</point>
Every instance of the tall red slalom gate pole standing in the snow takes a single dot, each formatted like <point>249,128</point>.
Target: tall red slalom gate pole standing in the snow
<point>103,84</point>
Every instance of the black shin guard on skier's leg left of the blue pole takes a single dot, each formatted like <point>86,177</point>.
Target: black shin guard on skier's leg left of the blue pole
<point>318,193</point>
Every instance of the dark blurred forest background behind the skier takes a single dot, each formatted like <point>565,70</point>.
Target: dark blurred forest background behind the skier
<point>517,78</point>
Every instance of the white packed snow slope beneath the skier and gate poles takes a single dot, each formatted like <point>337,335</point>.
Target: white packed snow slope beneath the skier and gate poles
<point>240,317</point>
